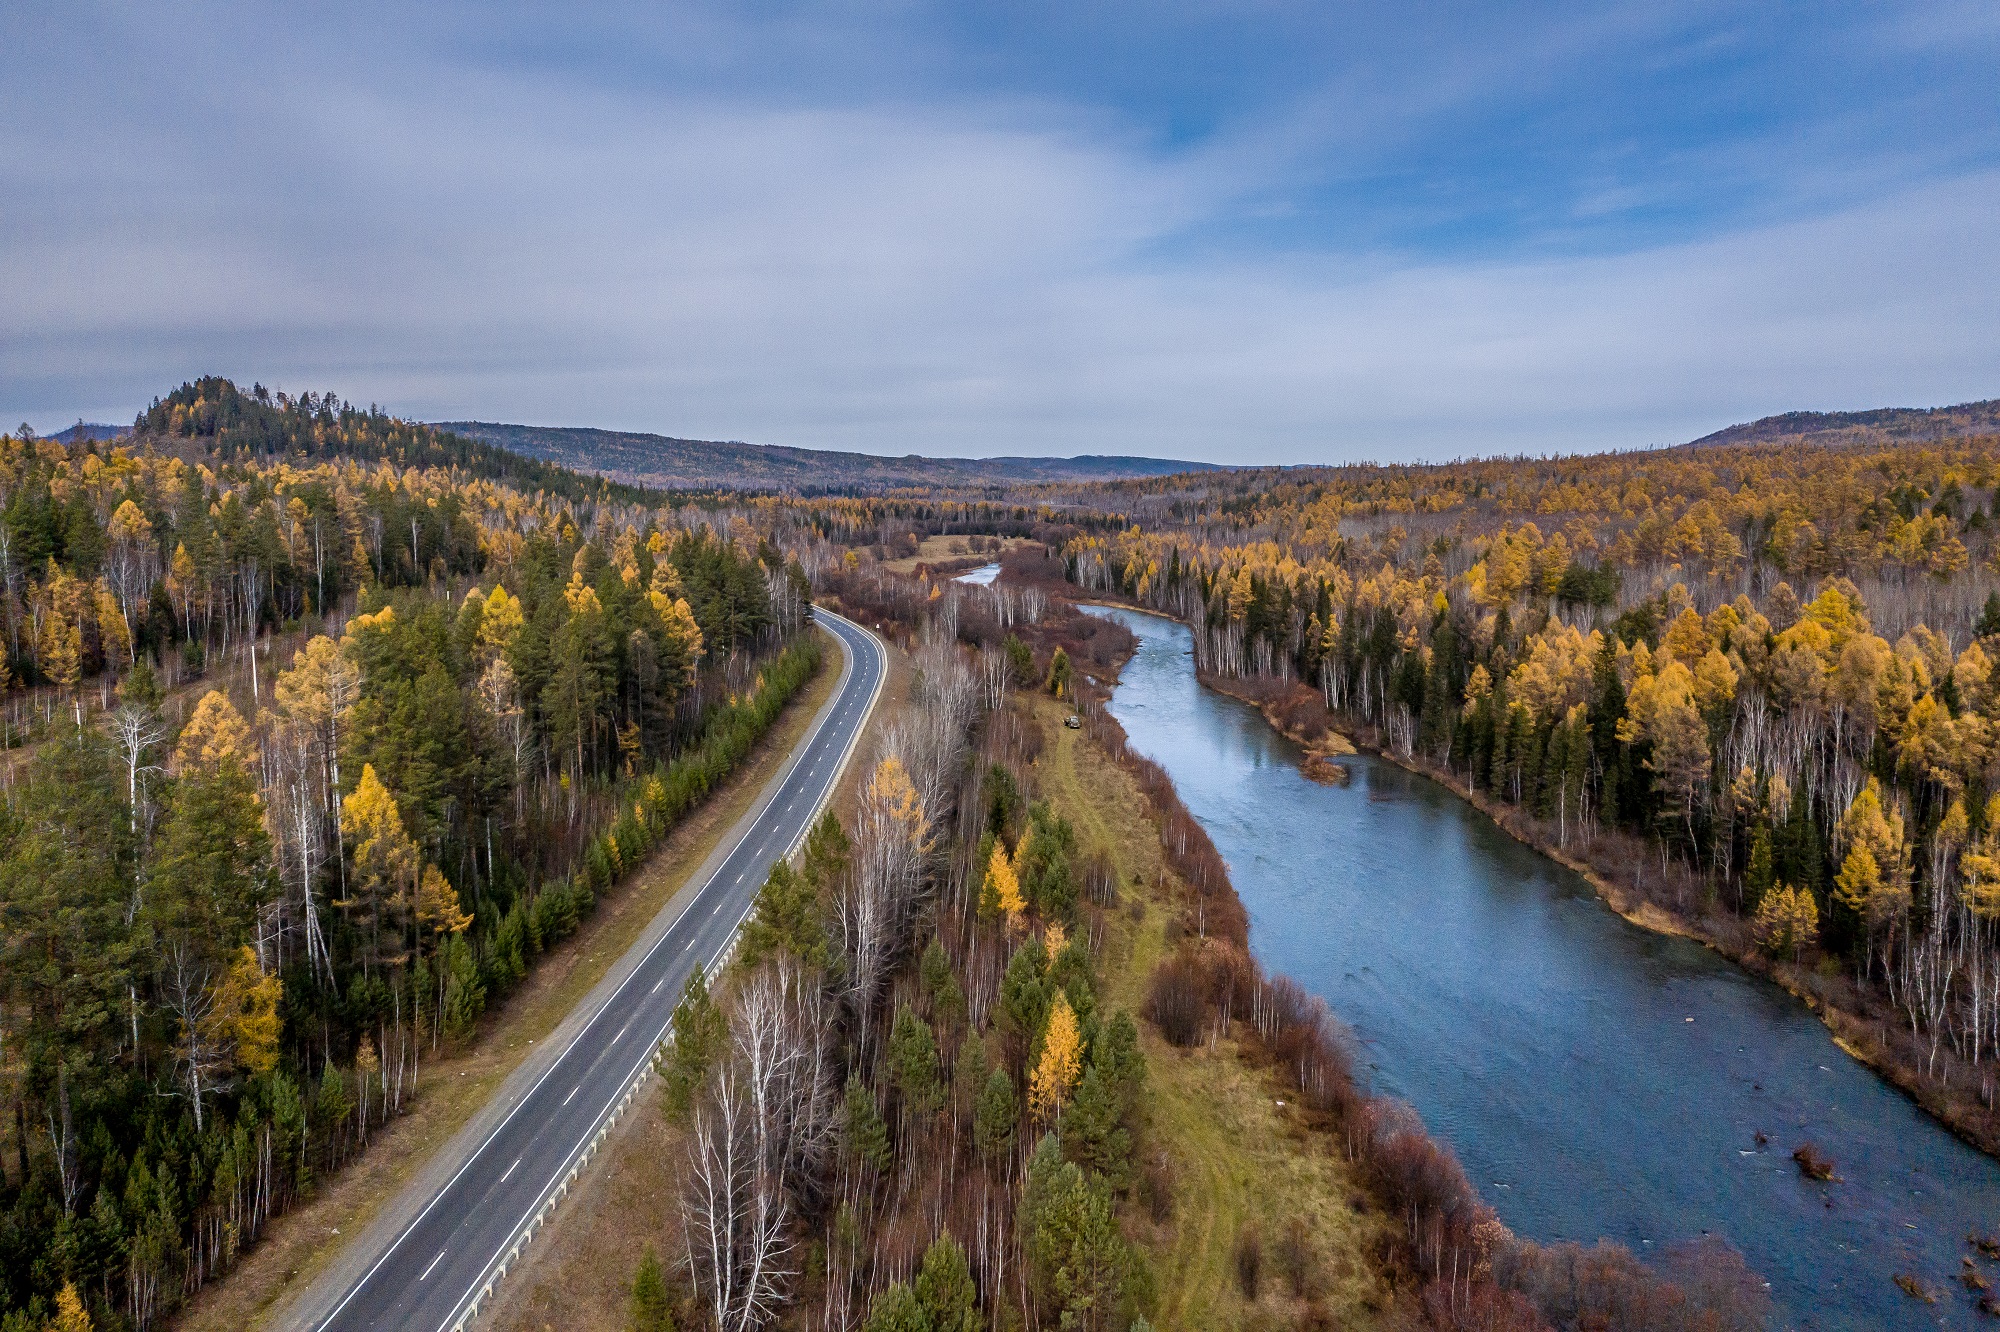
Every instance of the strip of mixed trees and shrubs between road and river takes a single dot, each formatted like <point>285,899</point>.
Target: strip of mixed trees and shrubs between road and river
<point>911,1103</point>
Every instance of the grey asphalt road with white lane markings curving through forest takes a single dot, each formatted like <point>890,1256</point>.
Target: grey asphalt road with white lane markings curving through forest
<point>429,1261</point>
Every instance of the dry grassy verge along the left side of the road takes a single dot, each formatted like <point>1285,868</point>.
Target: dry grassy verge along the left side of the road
<point>303,1243</point>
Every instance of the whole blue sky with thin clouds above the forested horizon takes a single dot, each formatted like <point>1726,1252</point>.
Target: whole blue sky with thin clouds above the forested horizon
<point>1247,233</point>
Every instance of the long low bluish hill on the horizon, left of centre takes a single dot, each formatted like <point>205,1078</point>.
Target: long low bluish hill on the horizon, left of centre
<point>669,463</point>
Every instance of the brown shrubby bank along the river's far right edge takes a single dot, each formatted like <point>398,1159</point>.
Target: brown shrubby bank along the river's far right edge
<point>1617,865</point>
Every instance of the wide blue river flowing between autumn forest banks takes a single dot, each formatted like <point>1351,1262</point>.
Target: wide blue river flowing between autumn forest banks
<point>1595,1079</point>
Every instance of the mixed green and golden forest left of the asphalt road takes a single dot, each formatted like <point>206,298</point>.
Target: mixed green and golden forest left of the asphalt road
<point>247,893</point>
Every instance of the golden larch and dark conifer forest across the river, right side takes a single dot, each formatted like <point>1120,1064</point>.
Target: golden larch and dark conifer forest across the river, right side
<point>1775,663</point>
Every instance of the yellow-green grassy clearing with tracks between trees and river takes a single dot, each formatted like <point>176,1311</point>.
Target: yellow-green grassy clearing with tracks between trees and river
<point>1237,1155</point>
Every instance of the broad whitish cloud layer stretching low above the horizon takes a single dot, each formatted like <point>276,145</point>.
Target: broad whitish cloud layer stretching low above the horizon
<point>903,279</point>
